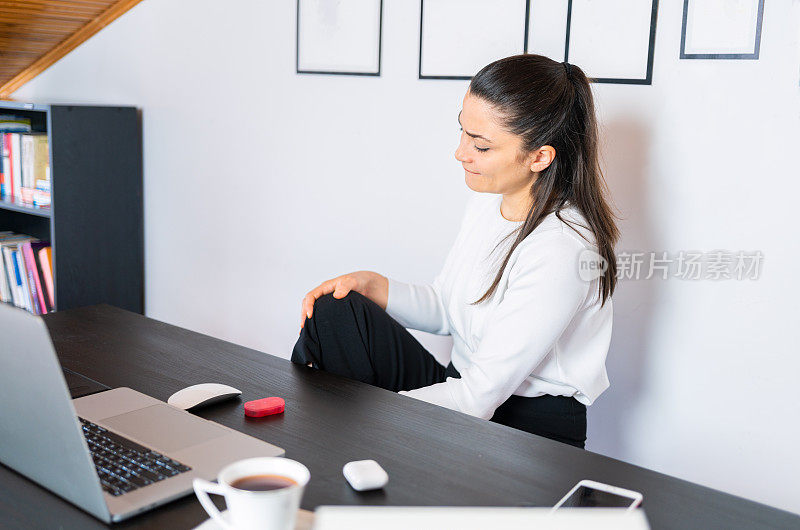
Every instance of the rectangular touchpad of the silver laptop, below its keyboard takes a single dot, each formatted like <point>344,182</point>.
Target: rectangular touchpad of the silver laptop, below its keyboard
<point>164,428</point>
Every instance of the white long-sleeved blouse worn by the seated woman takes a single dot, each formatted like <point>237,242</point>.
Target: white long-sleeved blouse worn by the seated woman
<point>541,332</point>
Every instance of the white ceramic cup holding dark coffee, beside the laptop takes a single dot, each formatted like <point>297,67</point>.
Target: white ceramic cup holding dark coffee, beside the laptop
<point>266,510</point>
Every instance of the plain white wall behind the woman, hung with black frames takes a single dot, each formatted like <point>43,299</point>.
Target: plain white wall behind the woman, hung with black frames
<point>260,183</point>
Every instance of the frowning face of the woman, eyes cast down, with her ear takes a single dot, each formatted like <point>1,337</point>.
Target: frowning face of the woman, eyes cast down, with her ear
<point>491,156</point>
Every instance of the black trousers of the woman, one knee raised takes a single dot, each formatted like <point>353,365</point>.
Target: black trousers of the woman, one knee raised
<point>355,338</point>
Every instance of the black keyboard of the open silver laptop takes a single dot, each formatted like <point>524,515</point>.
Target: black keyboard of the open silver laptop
<point>123,465</point>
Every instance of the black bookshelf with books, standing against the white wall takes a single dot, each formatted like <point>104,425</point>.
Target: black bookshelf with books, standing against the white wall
<point>95,222</point>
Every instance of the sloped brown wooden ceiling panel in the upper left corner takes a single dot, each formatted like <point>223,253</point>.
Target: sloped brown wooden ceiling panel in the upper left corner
<point>36,33</point>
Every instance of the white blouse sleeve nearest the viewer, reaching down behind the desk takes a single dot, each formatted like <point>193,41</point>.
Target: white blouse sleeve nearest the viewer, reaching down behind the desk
<point>543,295</point>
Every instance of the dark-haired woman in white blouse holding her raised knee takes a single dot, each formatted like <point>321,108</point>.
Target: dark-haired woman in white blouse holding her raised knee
<point>530,328</point>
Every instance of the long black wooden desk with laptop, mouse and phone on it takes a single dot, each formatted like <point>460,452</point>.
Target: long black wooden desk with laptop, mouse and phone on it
<point>434,456</point>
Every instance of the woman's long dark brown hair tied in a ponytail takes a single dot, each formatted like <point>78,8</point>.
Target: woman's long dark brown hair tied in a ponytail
<point>550,103</point>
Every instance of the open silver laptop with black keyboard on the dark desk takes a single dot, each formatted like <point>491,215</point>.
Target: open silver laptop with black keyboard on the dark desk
<point>113,453</point>
